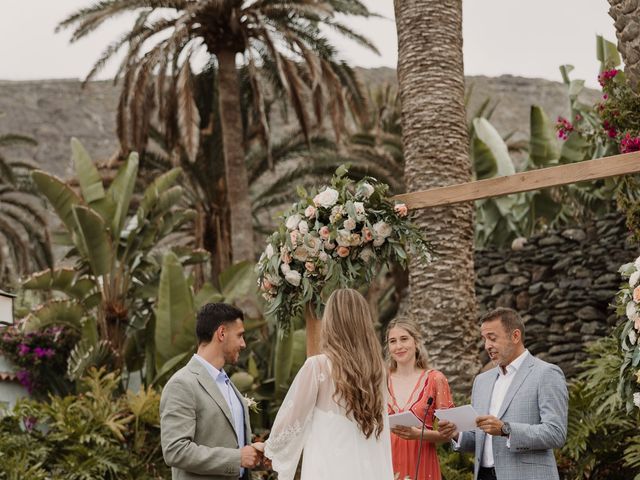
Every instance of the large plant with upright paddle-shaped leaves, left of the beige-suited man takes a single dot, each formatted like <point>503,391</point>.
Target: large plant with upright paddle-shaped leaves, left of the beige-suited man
<point>108,291</point>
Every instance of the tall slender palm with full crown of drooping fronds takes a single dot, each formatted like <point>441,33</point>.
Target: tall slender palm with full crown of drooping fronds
<point>280,39</point>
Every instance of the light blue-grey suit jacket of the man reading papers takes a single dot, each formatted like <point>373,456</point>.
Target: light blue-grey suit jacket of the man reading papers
<point>535,406</point>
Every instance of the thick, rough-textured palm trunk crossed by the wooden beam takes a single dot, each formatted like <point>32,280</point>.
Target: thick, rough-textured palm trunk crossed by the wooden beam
<point>434,134</point>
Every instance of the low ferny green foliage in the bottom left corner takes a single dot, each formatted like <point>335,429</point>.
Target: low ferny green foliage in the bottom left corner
<point>97,434</point>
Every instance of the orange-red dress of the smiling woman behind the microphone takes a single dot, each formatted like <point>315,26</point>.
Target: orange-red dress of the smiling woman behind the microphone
<point>431,384</point>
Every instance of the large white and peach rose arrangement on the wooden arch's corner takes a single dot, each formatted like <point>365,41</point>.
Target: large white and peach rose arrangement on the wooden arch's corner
<point>334,238</point>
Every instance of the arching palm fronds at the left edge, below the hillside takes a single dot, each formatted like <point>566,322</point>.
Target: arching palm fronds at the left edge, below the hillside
<point>24,238</point>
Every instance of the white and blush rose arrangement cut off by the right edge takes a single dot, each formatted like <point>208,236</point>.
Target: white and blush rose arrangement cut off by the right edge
<point>628,307</point>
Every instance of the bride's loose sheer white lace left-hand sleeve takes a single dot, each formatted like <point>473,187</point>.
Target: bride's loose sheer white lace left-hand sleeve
<point>291,426</point>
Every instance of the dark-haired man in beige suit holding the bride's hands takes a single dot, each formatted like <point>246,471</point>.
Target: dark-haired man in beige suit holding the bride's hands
<point>204,420</point>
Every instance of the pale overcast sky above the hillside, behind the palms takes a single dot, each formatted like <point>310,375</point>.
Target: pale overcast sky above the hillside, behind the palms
<point>518,37</point>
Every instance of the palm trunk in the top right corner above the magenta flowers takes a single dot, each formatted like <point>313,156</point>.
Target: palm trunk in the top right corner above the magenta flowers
<point>626,15</point>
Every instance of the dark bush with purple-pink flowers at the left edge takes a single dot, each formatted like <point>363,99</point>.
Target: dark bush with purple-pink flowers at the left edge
<point>39,357</point>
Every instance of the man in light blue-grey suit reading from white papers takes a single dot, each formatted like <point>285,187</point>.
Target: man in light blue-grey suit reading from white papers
<point>522,405</point>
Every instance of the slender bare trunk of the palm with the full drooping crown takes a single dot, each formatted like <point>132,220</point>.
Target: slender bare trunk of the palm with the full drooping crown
<point>233,148</point>
